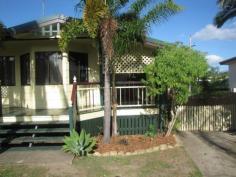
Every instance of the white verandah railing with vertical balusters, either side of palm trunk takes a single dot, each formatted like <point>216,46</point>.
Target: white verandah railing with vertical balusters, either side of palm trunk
<point>127,96</point>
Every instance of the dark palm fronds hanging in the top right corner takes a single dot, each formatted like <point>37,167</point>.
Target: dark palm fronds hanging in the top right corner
<point>227,11</point>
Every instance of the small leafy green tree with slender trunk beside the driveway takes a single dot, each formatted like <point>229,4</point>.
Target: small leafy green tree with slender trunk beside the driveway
<point>173,71</point>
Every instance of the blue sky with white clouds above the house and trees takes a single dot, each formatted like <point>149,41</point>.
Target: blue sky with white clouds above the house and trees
<point>195,21</point>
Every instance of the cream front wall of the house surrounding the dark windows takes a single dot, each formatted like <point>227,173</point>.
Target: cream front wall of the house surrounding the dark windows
<point>44,96</point>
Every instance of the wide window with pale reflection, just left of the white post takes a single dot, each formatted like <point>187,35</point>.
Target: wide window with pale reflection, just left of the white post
<point>48,68</point>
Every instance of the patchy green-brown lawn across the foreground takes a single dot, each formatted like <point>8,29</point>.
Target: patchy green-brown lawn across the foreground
<point>169,163</point>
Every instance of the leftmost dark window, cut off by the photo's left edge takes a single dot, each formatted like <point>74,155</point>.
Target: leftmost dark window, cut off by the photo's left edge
<point>7,70</point>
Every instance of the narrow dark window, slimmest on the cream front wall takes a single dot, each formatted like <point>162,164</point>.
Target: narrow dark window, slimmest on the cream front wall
<point>25,69</point>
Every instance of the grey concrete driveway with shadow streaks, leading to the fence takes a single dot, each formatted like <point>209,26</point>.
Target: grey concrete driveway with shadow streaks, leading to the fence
<point>213,152</point>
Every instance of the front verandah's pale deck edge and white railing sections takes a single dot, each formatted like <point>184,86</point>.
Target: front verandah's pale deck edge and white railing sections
<point>131,100</point>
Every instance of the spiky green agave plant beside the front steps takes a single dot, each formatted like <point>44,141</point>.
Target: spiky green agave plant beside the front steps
<point>79,145</point>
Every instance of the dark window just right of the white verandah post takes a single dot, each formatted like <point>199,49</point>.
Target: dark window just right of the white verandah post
<point>78,66</point>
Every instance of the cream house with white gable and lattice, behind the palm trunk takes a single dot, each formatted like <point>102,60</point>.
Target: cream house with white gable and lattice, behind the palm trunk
<point>35,75</point>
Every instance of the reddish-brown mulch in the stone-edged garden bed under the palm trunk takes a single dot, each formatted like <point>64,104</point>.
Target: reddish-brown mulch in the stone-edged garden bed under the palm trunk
<point>131,143</point>
